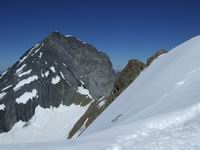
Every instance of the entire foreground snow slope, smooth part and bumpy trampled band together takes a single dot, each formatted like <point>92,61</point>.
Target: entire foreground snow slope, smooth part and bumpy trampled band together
<point>159,111</point>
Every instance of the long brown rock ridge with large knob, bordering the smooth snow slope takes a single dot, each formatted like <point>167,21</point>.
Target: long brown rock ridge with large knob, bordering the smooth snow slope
<point>125,77</point>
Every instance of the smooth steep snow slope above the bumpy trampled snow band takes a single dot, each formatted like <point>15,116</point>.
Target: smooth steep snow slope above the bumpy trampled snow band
<point>171,83</point>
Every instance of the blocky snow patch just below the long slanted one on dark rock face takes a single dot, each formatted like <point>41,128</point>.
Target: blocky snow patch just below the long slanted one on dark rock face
<point>27,96</point>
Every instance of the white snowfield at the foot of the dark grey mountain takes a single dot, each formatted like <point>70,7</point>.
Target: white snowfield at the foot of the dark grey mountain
<point>46,125</point>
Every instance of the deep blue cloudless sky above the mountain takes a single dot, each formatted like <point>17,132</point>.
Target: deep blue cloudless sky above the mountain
<point>124,29</point>
